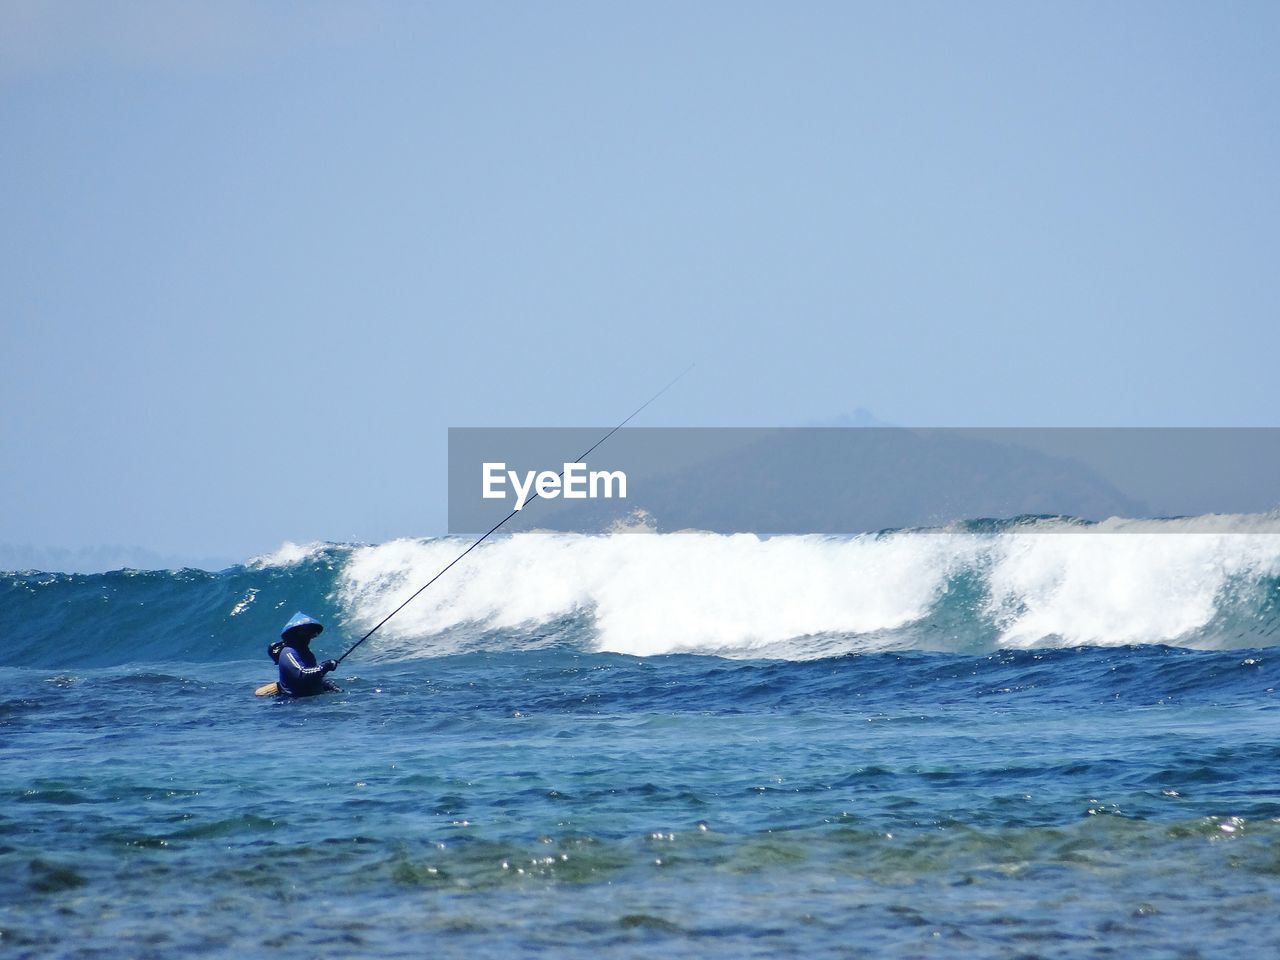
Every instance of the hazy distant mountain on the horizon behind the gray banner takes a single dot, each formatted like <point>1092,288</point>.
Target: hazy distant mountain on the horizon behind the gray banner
<point>833,481</point>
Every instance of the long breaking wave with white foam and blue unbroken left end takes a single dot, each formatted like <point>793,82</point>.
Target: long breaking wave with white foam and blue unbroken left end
<point>971,589</point>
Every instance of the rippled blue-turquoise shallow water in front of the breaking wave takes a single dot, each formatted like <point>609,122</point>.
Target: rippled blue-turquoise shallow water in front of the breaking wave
<point>1073,803</point>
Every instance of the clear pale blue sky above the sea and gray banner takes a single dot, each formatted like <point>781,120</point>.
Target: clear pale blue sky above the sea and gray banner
<point>257,258</point>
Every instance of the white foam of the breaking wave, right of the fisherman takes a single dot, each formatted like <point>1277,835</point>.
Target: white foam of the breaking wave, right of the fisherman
<point>803,597</point>
